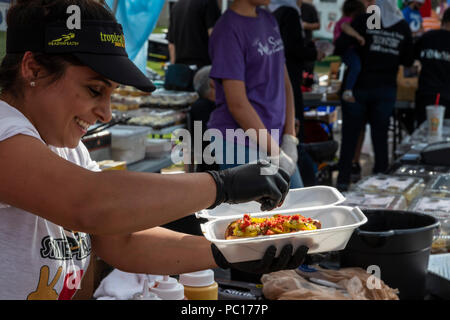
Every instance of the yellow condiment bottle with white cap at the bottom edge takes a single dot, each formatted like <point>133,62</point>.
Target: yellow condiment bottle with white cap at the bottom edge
<point>200,285</point>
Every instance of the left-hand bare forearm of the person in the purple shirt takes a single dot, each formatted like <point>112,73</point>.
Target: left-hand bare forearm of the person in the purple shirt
<point>243,112</point>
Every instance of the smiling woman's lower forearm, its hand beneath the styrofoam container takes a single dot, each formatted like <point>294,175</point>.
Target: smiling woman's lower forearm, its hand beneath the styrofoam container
<point>146,252</point>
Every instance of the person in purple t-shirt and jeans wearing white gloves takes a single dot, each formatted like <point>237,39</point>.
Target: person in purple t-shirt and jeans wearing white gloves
<point>253,90</point>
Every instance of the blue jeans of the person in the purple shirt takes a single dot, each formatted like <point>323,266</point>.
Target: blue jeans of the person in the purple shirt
<point>243,154</point>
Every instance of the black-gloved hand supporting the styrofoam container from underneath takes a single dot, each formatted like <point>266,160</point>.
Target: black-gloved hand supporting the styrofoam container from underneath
<point>268,263</point>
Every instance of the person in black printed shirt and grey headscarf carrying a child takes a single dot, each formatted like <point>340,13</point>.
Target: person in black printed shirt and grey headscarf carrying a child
<point>376,88</point>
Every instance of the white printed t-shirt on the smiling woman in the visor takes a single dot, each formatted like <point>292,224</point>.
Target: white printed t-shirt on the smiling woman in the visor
<point>39,259</point>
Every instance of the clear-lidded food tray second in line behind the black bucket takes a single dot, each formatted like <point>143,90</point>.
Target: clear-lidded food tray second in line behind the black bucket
<point>409,187</point>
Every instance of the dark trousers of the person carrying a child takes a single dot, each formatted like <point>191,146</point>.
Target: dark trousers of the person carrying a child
<point>375,106</point>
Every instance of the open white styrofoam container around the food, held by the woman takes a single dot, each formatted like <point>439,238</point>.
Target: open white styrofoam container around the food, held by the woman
<point>321,203</point>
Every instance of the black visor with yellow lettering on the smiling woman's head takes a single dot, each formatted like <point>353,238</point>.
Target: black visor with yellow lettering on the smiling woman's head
<point>98,44</point>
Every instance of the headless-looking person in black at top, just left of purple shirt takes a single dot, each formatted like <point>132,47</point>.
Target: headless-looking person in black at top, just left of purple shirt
<point>191,23</point>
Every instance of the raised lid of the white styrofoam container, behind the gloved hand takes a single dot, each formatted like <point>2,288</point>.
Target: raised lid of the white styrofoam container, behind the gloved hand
<point>301,198</point>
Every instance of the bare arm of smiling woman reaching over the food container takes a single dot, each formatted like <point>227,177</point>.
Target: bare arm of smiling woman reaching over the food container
<point>112,202</point>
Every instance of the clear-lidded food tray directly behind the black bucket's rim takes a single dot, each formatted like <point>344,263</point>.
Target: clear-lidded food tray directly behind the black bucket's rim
<point>375,201</point>
